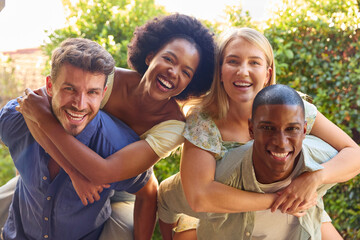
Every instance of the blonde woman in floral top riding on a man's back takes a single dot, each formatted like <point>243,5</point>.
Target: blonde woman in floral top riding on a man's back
<point>245,65</point>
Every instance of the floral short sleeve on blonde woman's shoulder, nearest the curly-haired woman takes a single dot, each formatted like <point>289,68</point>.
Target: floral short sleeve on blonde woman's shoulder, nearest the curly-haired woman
<point>202,131</point>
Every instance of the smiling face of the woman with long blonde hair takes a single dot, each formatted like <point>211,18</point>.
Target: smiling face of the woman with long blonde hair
<point>244,71</point>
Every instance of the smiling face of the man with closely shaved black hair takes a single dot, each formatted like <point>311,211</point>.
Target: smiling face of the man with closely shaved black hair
<point>278,132</point>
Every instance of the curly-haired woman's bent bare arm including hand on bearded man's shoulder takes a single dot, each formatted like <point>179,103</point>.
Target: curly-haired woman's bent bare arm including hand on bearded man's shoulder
<point>126,163</point>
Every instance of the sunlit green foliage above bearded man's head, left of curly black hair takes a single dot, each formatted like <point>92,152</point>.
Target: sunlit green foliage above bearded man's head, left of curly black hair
<point>111,23</point>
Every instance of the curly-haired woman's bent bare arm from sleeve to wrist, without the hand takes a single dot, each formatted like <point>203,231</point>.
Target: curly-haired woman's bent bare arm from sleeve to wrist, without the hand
<point>126,163</point>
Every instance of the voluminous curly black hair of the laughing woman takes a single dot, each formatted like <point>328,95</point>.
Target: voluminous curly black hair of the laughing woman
<point>152,36</point>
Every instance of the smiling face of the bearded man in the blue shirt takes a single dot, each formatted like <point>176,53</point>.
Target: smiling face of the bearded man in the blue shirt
<point>75,97</point>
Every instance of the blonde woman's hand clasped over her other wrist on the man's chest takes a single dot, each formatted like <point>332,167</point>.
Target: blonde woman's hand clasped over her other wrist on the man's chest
<point>299,196</point>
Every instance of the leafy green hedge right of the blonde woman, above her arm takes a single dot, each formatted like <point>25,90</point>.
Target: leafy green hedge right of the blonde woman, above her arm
<point>316,45</point>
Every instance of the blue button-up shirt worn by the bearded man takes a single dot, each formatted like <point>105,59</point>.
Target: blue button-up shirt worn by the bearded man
<point>45,209</point>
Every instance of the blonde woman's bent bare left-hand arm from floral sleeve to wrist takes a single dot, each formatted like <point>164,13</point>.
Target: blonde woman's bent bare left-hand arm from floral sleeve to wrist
<point>204,194</point>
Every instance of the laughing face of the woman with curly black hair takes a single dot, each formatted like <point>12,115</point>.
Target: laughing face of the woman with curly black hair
<point>171,69</point>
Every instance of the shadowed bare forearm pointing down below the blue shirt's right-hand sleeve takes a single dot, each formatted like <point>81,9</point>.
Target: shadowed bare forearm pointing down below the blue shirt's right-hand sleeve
<point>145,210</point>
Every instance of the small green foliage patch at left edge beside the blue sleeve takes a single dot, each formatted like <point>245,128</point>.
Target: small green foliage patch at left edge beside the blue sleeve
<point>7,169</point>
